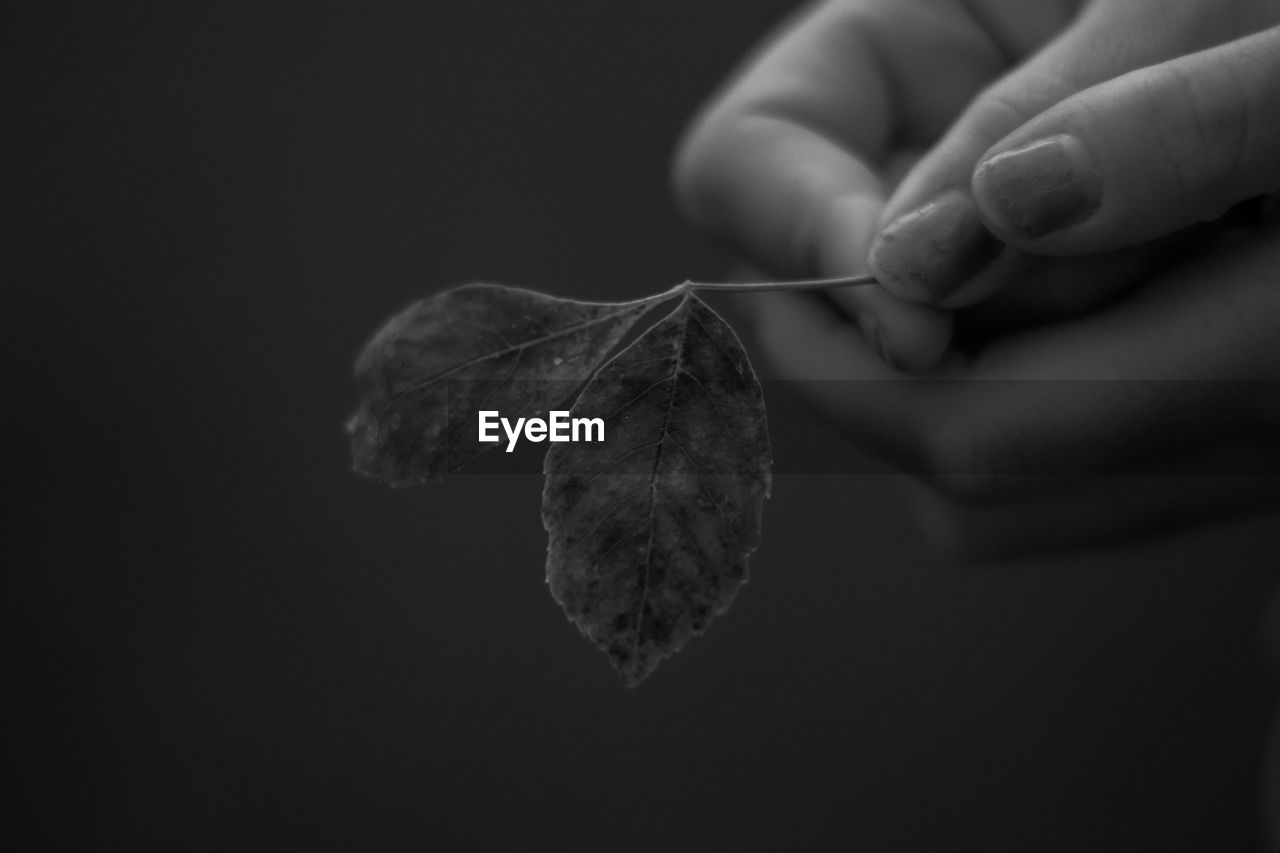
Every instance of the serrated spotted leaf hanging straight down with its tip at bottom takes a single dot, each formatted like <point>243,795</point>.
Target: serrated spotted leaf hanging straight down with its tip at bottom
<point>650,532</point>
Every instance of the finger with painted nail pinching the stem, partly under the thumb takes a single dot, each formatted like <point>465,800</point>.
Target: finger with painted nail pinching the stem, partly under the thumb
<point>932,240</point>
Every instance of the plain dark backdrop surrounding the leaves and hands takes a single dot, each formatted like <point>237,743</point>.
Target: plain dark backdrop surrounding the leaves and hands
<point>223,638</point>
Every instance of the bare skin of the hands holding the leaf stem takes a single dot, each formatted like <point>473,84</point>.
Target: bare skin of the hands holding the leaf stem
<point>888,135</point>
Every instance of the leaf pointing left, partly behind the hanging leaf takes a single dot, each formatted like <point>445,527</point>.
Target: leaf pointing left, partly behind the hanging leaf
<point>435,366</point>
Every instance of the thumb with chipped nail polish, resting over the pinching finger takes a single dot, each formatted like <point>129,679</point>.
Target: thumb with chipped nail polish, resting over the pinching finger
<point>1141,156</point>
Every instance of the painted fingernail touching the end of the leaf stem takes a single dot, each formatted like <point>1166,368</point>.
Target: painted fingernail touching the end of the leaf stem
<point>927,254</point>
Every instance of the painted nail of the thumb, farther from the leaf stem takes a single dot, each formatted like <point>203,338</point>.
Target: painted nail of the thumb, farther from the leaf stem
<point>1041,188</point>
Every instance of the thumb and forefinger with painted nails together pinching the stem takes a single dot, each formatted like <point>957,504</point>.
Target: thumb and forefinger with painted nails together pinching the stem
<point>1142,118</point>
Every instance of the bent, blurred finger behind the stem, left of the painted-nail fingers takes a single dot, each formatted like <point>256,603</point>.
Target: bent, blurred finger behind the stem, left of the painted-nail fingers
<point>784,167</point>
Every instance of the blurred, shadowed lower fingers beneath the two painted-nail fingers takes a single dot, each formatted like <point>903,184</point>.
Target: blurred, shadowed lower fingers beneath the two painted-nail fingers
<point>1162,409</point>
